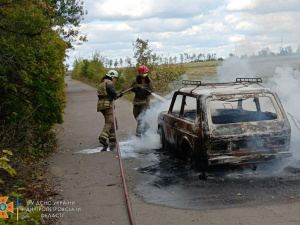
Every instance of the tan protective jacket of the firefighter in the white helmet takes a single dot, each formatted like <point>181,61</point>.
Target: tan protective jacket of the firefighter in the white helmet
<point>106,93</point>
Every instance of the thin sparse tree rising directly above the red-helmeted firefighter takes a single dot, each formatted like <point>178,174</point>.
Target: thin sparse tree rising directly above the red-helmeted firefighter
<point>142,52</point>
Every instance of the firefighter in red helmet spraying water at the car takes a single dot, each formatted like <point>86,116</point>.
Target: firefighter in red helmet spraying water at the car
<point>142,87</point>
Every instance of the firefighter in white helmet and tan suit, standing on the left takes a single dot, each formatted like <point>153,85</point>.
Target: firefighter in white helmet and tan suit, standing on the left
<point>106,95</point>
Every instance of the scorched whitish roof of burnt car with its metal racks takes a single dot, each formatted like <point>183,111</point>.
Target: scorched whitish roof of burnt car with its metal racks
<point>252,85</point>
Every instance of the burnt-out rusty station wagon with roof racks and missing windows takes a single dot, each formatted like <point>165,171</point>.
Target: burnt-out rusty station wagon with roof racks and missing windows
<point>236,123</point>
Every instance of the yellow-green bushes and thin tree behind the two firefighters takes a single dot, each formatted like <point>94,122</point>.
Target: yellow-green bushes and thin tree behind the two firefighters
<point>162,73</point>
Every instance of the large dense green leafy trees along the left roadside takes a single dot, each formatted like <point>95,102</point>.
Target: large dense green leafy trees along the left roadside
<point>34,37</point>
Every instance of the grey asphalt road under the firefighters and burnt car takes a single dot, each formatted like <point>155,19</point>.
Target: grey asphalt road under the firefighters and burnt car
<point>162,190</point>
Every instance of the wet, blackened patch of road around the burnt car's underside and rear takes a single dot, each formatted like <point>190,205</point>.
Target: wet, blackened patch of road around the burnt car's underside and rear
<point>171,182</point>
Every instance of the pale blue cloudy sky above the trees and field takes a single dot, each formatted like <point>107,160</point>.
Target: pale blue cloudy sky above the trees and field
<point>174,27</point>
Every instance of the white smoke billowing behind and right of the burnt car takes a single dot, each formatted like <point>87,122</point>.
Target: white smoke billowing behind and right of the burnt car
<point>284,80</point>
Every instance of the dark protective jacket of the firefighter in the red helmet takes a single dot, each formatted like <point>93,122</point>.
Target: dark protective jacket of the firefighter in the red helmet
<point>141,95</point>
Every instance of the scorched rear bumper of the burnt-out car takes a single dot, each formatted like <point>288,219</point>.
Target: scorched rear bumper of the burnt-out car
<point>247,159</point>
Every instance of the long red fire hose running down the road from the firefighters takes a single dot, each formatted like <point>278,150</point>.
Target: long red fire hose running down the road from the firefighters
<point>129,208</point>
